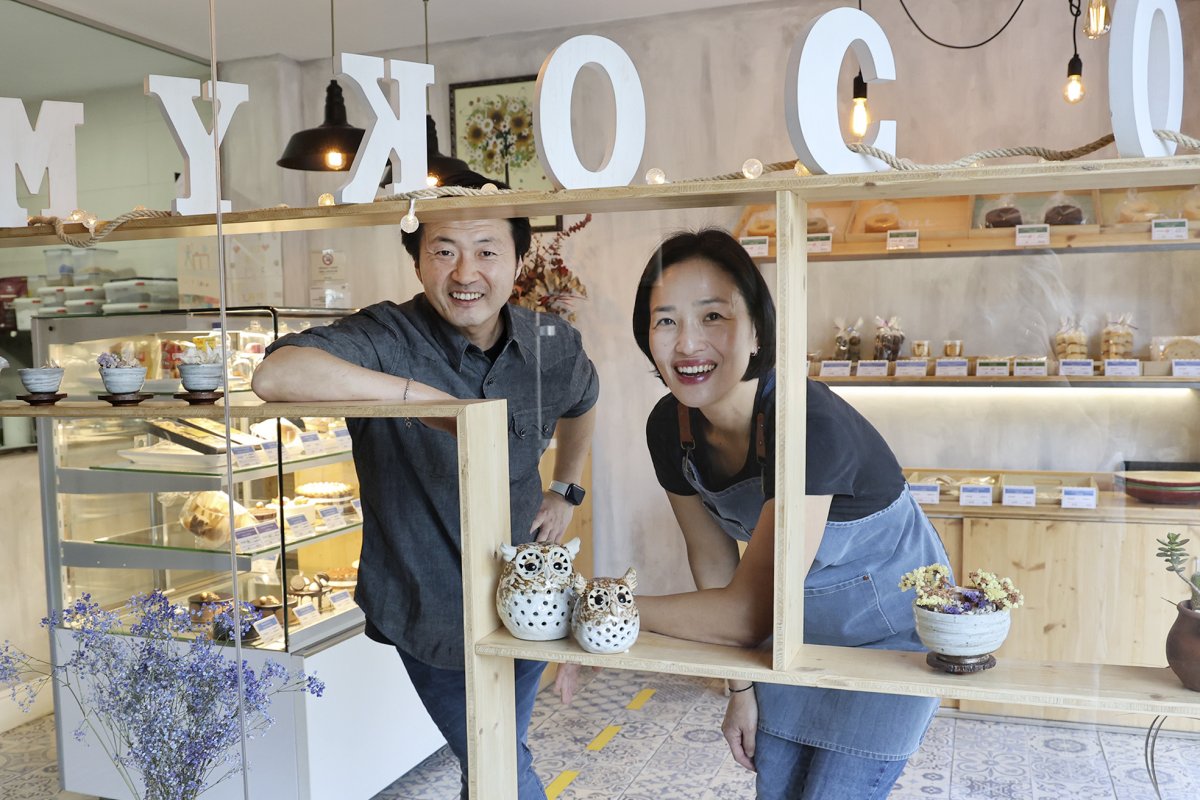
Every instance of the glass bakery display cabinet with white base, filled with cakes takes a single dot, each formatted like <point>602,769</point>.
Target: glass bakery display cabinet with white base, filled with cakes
<point>164,497</point>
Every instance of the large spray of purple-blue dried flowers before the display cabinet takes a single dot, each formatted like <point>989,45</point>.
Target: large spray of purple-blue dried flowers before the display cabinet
<point>158,697</point>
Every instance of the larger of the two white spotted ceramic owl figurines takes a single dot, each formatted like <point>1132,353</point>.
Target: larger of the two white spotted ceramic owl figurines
<point>536,592</point>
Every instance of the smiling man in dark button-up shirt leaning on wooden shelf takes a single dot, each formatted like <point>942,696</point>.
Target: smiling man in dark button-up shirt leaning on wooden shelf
<point>459,339</point>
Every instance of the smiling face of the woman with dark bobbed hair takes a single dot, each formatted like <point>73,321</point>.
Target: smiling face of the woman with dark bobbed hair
<point>701,332</point>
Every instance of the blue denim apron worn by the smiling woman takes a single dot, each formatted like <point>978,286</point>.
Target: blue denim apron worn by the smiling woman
<point>851,599</point>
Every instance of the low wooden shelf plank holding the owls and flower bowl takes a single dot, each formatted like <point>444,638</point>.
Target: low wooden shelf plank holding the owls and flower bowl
<point>1030,683</point>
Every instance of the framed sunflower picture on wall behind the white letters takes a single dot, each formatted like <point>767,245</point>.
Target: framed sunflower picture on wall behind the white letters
<point>494,134</point>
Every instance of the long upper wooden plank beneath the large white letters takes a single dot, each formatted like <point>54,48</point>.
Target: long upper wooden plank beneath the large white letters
<point>1115,173</point>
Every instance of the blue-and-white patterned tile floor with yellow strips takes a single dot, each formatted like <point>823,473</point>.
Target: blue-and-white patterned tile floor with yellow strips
<point>670,748</point>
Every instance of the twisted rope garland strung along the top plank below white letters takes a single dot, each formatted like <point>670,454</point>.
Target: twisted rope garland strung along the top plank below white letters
<point>901,165</point>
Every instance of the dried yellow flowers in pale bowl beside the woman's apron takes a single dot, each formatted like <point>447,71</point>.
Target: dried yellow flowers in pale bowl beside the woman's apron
<point>962,625</point>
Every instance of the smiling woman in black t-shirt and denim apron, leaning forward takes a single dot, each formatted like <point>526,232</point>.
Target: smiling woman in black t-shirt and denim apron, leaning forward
<point>705,318</point>
